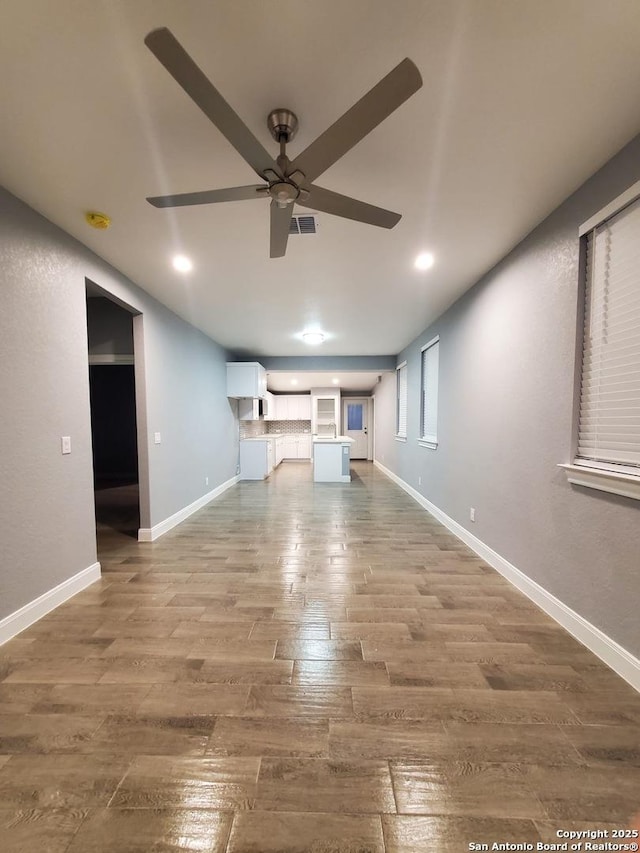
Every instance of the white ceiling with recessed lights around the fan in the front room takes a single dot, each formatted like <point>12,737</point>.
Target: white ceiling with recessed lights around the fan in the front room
<point>521,102</point>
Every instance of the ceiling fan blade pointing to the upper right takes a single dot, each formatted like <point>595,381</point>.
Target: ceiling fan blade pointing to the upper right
<point>392,91</point>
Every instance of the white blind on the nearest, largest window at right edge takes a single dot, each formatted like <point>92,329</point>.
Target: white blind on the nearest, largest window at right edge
<point>609,430</point>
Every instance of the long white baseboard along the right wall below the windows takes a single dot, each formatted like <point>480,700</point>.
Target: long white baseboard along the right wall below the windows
<point>615,656</point>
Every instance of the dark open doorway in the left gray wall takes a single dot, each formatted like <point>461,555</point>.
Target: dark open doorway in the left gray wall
<point>112,389</point>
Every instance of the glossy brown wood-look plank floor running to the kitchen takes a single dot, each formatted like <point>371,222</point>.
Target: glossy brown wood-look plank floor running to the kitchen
<point>307,667</point>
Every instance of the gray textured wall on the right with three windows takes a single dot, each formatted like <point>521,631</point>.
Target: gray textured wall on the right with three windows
<point>506,401</point>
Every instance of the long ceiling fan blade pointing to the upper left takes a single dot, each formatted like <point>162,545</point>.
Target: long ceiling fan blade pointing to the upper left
<point>166,48</point>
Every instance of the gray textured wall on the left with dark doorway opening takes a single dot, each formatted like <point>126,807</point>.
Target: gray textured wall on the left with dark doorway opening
<point>47,523</point>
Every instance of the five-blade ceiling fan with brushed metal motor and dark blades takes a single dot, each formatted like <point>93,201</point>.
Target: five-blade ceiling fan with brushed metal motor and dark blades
<point>286,181</point>
